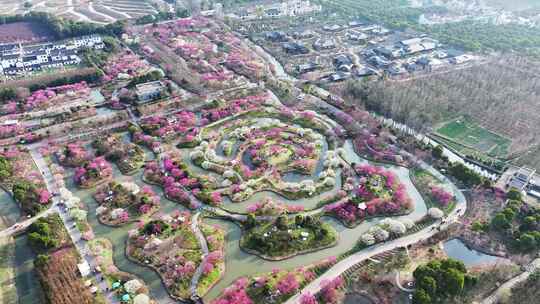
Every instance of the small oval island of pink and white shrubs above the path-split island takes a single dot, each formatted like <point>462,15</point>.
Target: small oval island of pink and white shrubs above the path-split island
<point>124,203</point>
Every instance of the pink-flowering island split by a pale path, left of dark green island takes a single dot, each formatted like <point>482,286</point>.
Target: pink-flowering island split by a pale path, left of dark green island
<point>170,247</point>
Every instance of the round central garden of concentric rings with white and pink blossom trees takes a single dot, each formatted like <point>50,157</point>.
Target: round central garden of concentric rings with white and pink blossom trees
<point>255,143</point>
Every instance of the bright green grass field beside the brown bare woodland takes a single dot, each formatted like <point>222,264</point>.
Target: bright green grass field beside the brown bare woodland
<point>469,134</point>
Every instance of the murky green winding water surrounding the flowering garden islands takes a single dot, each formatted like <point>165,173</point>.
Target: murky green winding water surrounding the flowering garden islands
<point>238,263</point>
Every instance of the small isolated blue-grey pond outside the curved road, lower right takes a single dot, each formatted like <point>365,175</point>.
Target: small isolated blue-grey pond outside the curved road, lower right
<point>456,249</point>
